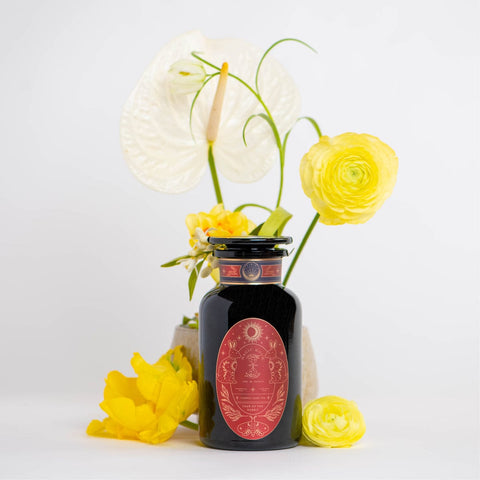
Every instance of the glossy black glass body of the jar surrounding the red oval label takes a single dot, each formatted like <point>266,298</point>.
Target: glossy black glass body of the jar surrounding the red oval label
<point>222,308</point>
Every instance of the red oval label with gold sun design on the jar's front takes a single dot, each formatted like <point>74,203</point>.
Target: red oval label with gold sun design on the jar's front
<point>252,378</point>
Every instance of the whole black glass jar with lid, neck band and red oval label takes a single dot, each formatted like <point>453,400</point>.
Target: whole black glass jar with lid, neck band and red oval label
<point>250,337</point>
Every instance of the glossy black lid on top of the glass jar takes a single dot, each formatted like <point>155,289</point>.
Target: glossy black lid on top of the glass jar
<point>249,246</point>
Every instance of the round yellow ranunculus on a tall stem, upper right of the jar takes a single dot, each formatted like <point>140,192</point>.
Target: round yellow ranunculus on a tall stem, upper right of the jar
<point>348,177</point>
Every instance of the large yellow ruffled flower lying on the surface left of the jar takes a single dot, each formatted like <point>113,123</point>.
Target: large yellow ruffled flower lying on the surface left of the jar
<point>150,407</point>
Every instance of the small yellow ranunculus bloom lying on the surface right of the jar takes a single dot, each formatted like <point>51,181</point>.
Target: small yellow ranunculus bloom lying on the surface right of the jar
<point>332,422</point>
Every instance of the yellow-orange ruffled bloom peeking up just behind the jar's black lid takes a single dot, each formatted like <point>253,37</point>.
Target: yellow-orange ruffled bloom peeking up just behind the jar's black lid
<point>219,223</point>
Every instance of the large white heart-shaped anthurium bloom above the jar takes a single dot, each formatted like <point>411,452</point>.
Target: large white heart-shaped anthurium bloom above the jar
<point>155,131</point>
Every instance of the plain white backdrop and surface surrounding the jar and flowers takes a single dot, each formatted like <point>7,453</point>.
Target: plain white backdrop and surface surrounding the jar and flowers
<point>392,305</point>
